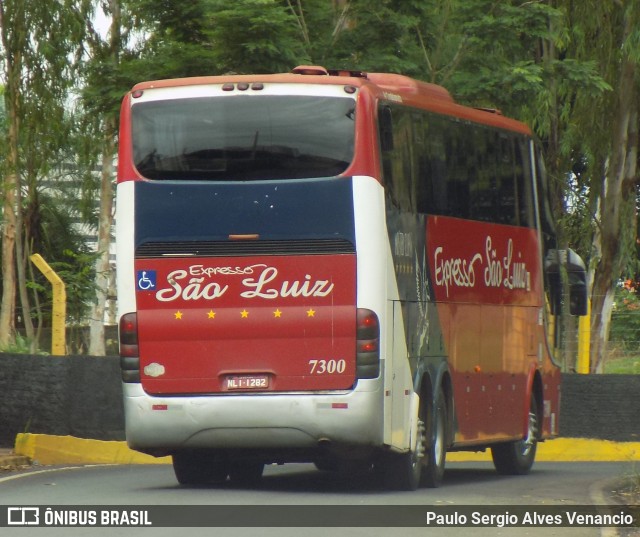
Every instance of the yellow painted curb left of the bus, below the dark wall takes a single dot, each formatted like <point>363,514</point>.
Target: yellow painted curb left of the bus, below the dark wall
<point>49,449</point>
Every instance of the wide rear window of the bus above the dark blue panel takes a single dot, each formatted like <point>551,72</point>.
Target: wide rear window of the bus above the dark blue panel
<point>243,138</point>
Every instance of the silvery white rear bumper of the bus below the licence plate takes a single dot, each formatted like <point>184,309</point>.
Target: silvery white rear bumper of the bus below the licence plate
<point>162,425</point>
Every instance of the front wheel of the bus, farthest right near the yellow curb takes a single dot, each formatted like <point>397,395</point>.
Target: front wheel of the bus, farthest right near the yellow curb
<point>516,458</point>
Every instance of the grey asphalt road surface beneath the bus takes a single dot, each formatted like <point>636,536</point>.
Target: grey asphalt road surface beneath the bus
<point>466,484</point>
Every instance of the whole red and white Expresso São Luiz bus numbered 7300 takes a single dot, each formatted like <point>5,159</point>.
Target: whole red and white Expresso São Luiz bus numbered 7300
<point>337,267</point>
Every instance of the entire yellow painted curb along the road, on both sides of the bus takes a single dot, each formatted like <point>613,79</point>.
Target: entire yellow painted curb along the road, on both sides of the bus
<point>50,449</point>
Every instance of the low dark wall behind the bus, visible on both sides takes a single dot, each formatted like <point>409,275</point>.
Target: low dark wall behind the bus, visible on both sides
<point>82,396</point>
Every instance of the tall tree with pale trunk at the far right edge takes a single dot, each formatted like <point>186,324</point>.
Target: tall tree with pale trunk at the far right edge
<point>605,135</point>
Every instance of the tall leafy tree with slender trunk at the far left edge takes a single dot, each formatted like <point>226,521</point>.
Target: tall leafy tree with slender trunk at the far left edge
<point>40,43</point>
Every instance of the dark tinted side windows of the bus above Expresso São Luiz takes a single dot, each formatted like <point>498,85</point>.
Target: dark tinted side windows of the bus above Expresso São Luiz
<point>444,166</point>
